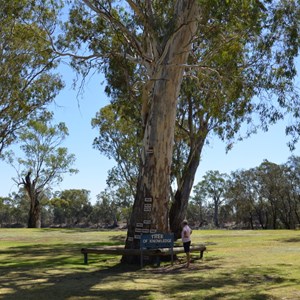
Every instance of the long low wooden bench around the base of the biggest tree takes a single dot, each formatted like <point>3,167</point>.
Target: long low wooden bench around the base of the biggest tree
<point>120,250</point>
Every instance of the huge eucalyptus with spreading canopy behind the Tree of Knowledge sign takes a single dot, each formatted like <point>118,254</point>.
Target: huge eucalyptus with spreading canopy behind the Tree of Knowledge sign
<point>242,49</point>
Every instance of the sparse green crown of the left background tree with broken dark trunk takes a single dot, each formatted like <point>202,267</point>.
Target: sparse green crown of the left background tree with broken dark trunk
<point>43,158</point>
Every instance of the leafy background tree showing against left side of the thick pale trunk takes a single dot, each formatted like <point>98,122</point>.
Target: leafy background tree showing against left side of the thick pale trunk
<point>118,138</point>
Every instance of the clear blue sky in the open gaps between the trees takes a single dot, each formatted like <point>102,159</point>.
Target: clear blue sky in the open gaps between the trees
<point>77,111</point>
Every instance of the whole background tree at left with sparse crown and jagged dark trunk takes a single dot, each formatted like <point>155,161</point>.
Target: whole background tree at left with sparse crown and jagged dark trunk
<point>44,163</point>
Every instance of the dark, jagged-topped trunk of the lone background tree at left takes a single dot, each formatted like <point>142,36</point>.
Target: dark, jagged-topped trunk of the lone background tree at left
<point>34,218</point>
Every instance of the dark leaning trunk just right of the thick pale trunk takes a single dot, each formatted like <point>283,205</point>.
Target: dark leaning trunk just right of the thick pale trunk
<point>179,206</point>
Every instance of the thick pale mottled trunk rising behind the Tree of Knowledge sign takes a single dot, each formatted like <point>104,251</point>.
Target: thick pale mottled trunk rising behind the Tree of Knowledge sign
<point>150,209</point>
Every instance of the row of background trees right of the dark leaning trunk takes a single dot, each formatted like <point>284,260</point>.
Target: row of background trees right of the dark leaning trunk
<point>264,197</point>
